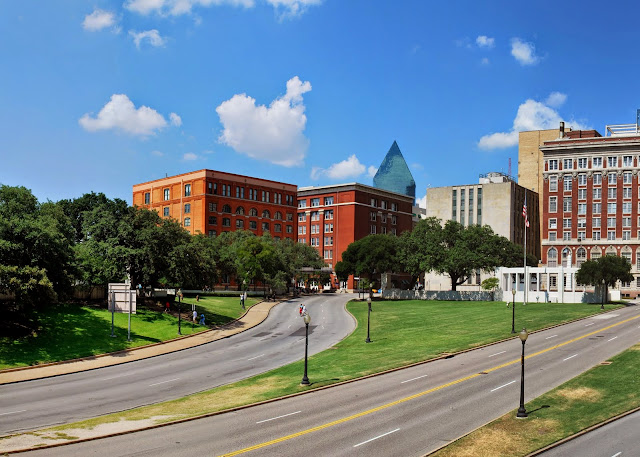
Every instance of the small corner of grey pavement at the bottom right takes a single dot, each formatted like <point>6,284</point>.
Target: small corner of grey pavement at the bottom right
<point>617,439</point>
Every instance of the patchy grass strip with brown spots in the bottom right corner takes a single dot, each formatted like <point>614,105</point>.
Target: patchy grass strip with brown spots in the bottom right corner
<point>604,391</point>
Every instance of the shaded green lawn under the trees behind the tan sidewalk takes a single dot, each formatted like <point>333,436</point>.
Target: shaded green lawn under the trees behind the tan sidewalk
<point>71,331</point>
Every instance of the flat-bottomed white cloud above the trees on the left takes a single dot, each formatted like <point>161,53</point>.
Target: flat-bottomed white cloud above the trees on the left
<point>120,113</point>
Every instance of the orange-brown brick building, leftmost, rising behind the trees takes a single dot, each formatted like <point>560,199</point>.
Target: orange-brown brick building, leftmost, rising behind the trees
<point>211,202</point>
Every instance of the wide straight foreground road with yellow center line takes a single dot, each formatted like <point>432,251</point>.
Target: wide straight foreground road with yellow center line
<point>408,412</point>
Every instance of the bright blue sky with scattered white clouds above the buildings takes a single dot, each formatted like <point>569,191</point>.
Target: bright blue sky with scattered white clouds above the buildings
<point>101,95</point>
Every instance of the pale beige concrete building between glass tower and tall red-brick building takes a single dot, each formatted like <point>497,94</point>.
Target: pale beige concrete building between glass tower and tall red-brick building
<point>495,201</point>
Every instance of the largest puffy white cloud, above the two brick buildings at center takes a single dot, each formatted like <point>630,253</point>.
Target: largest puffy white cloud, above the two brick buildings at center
<point>273,133</point>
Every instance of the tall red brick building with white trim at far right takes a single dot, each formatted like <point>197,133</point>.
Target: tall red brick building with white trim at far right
<point>590,198</point>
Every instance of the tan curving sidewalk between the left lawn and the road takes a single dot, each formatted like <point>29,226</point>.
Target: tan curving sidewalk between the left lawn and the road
<point>254,316</point>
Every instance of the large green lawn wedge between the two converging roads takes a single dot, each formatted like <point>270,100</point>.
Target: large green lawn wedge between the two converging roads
<point>402,332</point>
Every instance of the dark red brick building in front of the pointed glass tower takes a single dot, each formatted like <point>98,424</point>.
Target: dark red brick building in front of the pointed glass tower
<point>332,217</point>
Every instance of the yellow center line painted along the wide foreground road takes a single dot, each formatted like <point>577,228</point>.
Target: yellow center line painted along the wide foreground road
<point>413,397</point>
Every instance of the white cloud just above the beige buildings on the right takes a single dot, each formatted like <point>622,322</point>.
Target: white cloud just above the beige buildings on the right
<point>532,115</point>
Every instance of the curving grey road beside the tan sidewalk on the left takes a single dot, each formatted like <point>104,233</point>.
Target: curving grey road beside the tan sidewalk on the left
<point>277,341</point>
